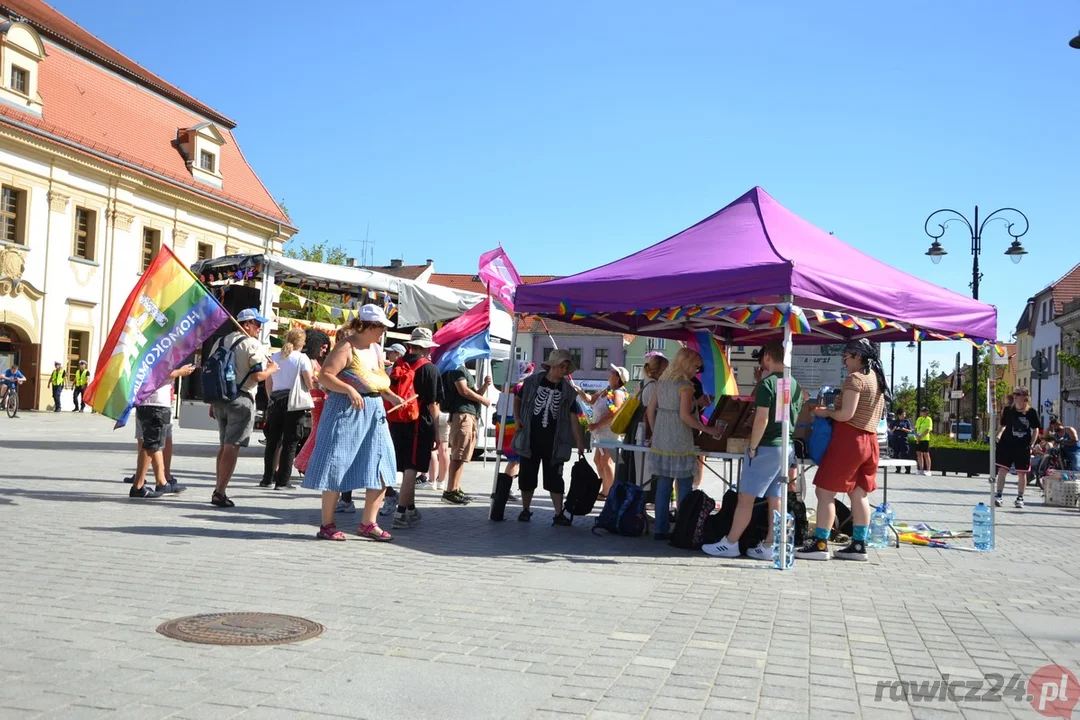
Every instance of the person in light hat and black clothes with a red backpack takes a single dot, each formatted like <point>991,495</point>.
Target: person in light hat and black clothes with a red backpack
<point>414,427</point>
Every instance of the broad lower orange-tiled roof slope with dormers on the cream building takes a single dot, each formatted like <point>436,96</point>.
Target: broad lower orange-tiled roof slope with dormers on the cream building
<point>94,111</point>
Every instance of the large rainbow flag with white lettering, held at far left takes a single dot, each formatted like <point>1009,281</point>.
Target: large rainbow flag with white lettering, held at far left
<point>166,319</point>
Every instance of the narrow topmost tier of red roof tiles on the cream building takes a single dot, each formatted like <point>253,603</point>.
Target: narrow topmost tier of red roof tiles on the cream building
<point>51,24</point>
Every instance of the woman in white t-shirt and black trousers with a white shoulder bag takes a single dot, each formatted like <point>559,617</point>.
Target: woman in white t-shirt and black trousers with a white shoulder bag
<point>290,393</point>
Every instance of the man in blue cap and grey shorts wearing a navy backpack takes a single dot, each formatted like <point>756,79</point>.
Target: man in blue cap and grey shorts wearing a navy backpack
<point>231,378</point>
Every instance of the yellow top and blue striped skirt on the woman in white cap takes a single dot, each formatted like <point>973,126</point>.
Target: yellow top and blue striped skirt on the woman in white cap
<point>354,450</point>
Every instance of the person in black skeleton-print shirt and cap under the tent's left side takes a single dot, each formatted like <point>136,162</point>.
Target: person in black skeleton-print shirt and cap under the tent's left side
<point>547,432</point>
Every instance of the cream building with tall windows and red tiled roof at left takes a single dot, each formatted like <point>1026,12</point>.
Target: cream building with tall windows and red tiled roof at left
<point>103,165</point>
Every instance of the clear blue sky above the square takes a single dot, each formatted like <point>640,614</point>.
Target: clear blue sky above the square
<point>577,133</point>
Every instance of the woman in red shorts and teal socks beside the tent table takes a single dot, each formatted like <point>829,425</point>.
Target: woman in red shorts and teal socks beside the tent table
<point>852,459</point>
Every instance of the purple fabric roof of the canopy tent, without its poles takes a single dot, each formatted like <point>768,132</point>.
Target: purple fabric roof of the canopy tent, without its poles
<point>757,252</point>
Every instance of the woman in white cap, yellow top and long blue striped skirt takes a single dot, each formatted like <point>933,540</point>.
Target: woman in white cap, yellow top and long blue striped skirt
<point>354,451</point>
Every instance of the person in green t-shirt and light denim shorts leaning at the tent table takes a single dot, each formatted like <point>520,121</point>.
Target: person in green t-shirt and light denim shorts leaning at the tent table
<point>765,470</point>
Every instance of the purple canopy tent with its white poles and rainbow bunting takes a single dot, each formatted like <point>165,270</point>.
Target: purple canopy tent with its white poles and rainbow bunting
<point>754,253</point>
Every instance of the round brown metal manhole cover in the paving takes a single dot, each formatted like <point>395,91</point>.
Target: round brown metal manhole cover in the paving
<point>241,629</point>
